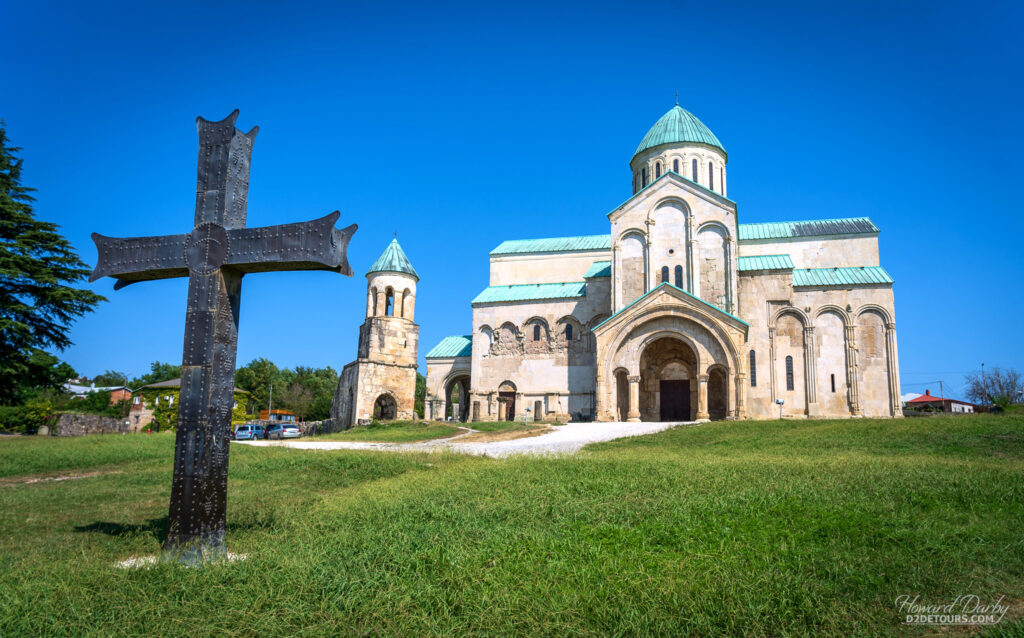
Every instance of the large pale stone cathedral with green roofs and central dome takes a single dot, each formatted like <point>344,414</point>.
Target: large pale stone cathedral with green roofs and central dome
<point>680,313</point>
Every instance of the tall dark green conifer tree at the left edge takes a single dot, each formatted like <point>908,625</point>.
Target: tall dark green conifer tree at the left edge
<point>38,303</point>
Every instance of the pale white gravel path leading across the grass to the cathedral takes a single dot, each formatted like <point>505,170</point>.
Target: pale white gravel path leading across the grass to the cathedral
<point>562,440</point>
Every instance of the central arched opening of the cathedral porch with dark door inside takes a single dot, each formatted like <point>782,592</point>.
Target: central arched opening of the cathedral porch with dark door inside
<point>668,380</point>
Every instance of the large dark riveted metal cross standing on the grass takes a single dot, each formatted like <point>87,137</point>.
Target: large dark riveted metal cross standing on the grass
<point>215,258</point>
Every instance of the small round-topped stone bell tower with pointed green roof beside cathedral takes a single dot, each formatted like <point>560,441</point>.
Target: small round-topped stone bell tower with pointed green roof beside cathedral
<point>380,385</point>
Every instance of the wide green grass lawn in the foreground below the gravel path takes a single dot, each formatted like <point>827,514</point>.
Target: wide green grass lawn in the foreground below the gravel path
<point>760,529</point>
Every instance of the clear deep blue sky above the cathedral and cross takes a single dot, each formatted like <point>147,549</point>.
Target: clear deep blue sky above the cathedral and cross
<point>462,125</point>
